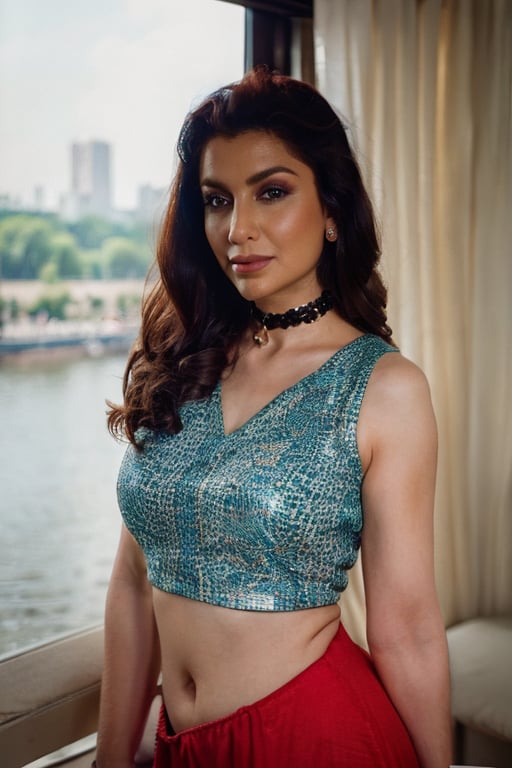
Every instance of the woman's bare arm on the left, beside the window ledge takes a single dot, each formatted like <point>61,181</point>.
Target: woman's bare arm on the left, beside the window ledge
<point>132,658</point>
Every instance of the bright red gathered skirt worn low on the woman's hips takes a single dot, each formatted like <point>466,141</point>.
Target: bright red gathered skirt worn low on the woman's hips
<point>334,714</point>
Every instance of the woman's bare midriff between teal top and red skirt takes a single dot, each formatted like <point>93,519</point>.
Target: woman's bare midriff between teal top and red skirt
<point>216,660</point>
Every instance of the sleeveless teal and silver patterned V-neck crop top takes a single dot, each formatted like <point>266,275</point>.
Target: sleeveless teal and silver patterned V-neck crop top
<point>268,517</point>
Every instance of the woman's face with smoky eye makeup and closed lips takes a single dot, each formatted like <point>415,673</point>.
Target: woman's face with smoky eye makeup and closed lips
<point>263,218</point>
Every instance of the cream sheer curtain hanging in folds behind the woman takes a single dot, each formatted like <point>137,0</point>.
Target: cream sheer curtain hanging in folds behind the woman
<point>425,89</point>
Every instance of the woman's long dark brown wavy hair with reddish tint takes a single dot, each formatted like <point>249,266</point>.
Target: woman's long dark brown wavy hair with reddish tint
<point>193,318</point>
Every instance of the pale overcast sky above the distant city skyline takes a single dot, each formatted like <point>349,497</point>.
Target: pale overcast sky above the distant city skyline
<point>121,71</point>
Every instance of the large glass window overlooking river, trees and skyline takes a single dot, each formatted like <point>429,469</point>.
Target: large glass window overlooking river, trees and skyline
<point>93,94</point>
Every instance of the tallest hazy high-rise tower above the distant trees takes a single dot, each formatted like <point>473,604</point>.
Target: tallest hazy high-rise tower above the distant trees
<point>91,179</point>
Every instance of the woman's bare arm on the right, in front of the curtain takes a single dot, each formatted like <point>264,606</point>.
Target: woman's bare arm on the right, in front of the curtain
<point>405,630</point>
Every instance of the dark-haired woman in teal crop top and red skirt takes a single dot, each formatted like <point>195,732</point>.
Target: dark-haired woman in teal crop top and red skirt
<point>269,412</point>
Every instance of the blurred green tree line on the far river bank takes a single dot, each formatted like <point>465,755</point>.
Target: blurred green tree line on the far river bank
<point>45,247</point>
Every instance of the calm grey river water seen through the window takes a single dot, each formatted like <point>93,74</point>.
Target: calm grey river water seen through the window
<point>59,522</point>
